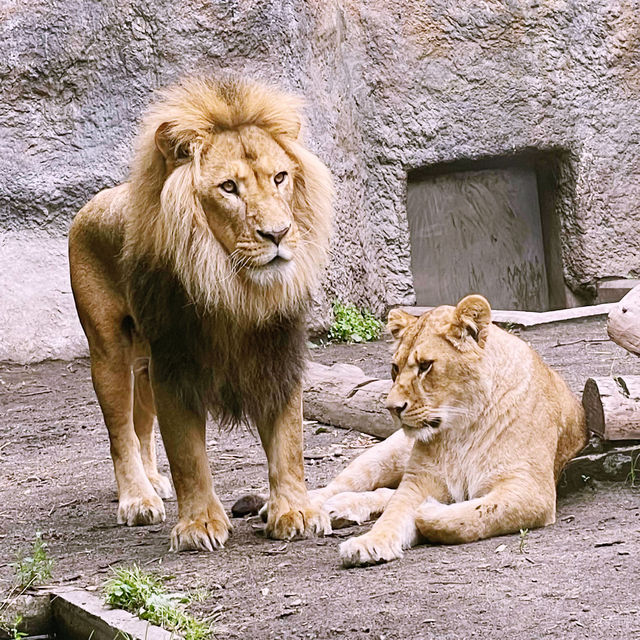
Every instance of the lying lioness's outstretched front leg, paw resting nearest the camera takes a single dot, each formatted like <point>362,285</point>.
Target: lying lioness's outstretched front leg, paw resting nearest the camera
<point>396,529</point>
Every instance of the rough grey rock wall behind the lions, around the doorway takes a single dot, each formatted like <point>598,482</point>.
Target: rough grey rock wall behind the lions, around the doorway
<point>390,87</point>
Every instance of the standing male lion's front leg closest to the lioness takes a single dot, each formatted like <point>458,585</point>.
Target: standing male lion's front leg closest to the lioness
<point>290,512</point>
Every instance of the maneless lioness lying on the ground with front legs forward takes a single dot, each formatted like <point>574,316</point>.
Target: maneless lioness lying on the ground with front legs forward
<point>486,429</point>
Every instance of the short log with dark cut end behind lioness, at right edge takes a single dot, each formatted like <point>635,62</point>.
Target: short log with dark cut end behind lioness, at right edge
<point>612,407</point>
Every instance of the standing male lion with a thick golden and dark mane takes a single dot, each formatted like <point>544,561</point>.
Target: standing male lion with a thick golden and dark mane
<point>191,281</point>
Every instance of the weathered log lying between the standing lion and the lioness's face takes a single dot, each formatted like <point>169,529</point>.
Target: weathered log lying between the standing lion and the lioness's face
<point>342,395</point>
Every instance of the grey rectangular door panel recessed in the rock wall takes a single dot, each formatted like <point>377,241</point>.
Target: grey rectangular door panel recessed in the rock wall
<point>485,229</point>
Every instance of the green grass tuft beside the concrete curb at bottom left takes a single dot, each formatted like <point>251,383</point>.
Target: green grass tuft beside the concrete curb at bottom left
<point>140,593</point>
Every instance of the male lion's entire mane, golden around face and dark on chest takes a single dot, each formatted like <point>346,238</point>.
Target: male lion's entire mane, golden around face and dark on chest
<point>224,343</point>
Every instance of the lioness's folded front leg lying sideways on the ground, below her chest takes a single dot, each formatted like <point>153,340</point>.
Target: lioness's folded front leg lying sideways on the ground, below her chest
<point>510,506</point>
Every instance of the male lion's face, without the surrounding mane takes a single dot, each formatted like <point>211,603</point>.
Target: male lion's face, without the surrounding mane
<point>245,185</point>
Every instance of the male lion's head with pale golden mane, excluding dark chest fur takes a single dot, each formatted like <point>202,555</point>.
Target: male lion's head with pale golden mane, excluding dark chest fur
<point>225,194</point>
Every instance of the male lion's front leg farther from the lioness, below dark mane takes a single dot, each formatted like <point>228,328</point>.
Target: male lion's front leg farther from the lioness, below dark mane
<point>202,521</point>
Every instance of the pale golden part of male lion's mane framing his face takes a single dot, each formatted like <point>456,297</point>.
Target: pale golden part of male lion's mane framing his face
<point>167,224</point>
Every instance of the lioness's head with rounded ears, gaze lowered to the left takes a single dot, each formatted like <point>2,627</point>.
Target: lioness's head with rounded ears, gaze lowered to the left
<point>436,369</point>
